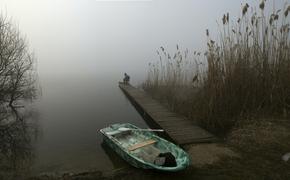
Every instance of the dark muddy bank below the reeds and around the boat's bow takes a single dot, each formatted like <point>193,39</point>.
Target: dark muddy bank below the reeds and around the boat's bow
<point>250,151</point>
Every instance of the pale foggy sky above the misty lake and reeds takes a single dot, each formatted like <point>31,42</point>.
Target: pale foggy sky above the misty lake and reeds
<point>104,38</point>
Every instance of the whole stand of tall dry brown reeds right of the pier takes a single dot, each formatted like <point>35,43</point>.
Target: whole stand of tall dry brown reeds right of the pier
<point>246,71</point>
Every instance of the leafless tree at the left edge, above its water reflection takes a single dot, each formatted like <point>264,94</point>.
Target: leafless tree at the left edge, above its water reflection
<point>17,67</point>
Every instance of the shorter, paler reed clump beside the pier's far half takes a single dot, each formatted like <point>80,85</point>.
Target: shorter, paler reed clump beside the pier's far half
<point>171,78</point>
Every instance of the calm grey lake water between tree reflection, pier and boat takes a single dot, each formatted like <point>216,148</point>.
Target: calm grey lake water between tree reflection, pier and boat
<point>71,111</point>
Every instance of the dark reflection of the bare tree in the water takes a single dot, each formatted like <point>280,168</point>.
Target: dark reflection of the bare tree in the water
<point>18,129</point>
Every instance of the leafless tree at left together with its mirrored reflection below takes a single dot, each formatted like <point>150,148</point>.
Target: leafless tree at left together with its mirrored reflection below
<point>17,84</point>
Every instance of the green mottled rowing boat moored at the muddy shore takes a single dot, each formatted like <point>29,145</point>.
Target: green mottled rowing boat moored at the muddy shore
<point>144,149</point>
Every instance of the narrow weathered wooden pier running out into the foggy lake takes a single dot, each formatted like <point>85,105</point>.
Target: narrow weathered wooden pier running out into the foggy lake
<point>178,128</point>
